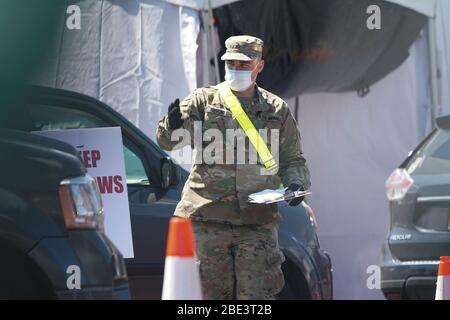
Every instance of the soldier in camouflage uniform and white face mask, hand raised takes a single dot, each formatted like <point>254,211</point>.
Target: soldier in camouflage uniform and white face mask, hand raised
<point>237,243</point>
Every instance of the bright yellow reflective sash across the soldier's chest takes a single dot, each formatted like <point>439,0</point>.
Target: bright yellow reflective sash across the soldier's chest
<point>246,124</point>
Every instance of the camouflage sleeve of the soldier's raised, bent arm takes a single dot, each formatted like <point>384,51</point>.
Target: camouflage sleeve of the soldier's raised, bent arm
<point>190,109</point>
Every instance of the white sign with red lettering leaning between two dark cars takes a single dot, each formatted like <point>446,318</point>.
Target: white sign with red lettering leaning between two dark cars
<point>102,152</point>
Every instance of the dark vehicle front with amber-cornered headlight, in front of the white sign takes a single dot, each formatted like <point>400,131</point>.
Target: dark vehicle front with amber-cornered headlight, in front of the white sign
<point>51,241</point>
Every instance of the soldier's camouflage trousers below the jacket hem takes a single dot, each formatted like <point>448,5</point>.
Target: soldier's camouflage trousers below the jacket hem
<point>238,262</point>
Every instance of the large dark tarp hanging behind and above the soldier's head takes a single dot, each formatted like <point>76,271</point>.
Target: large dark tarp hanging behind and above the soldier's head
<point>322,45</point>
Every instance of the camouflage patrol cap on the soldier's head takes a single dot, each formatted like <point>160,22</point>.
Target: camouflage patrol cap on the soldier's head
<point>244,48</point>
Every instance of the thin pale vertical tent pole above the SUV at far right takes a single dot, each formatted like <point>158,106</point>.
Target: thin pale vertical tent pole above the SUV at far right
<point>433,68</point>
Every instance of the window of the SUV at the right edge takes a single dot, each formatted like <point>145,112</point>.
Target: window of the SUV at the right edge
<point>434,156</point>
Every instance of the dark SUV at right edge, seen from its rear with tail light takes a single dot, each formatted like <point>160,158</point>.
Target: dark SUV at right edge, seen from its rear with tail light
<point>419,195</point>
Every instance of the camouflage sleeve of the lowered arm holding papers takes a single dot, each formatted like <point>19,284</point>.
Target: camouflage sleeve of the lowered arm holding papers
<point>293,167</point>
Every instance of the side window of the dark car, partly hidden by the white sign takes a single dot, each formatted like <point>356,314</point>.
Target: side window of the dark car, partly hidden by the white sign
<point>47,118</point>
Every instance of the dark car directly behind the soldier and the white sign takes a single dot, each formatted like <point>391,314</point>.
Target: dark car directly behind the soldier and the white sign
<point>155,184</point>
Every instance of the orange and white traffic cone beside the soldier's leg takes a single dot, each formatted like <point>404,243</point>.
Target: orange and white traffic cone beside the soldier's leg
<point>181,273</point>
